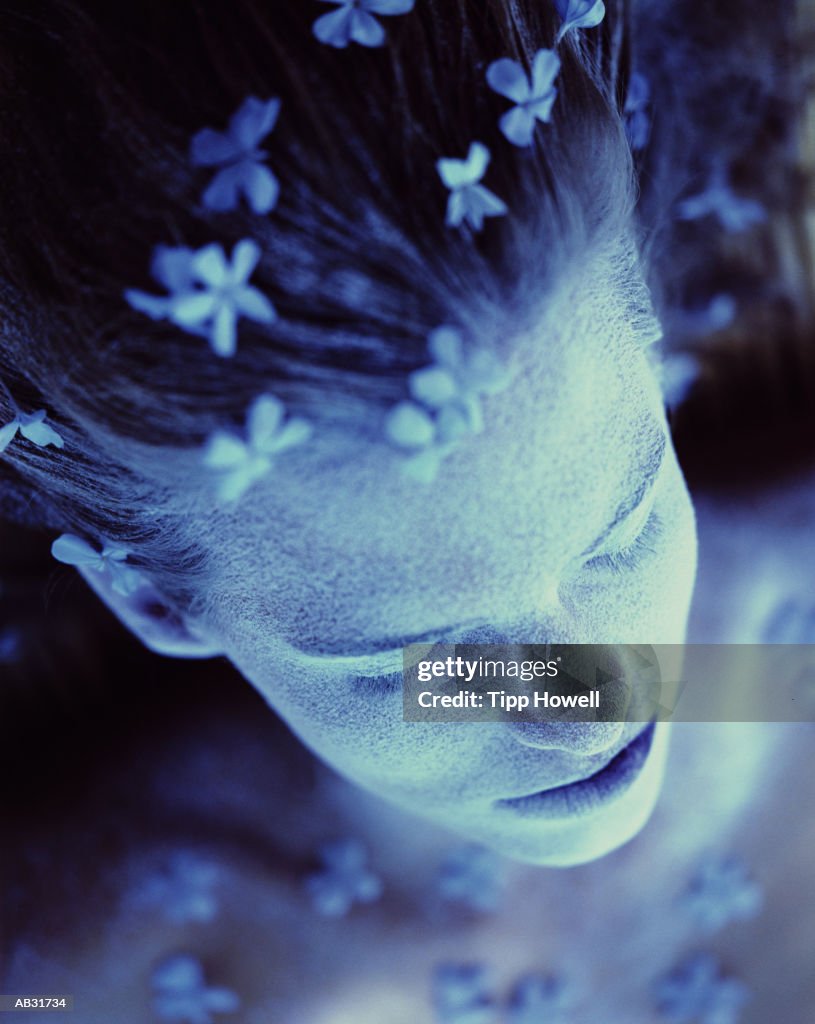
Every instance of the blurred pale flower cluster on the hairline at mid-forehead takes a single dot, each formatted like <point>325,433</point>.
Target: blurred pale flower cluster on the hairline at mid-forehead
<point>447,403</point>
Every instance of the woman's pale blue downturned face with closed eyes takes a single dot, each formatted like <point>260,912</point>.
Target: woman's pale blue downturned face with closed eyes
<point>567,521</point>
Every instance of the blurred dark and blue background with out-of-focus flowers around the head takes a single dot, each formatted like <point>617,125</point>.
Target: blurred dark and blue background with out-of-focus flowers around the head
<point>171,854</point>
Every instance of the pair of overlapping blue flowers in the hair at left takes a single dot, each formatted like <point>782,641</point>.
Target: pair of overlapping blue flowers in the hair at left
<point>208,292</point>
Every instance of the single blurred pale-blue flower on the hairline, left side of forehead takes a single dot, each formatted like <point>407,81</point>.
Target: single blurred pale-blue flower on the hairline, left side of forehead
<point>240,462</point>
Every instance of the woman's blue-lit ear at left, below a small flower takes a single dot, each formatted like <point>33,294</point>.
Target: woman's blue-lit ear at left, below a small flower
<point>147,615</point>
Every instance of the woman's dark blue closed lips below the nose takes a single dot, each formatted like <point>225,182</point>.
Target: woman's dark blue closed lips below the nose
<point>589,795</point>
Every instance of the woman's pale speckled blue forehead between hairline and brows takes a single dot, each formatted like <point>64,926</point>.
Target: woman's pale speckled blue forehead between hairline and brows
<point>350,548</point>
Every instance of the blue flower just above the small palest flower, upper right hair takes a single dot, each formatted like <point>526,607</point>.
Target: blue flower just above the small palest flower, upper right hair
<point>534,96</point>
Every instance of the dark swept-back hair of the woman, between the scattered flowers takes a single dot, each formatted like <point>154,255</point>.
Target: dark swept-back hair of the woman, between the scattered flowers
<point>101,102</point>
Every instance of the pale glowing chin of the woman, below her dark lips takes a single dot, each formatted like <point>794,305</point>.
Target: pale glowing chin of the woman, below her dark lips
<point>589,835</point>
